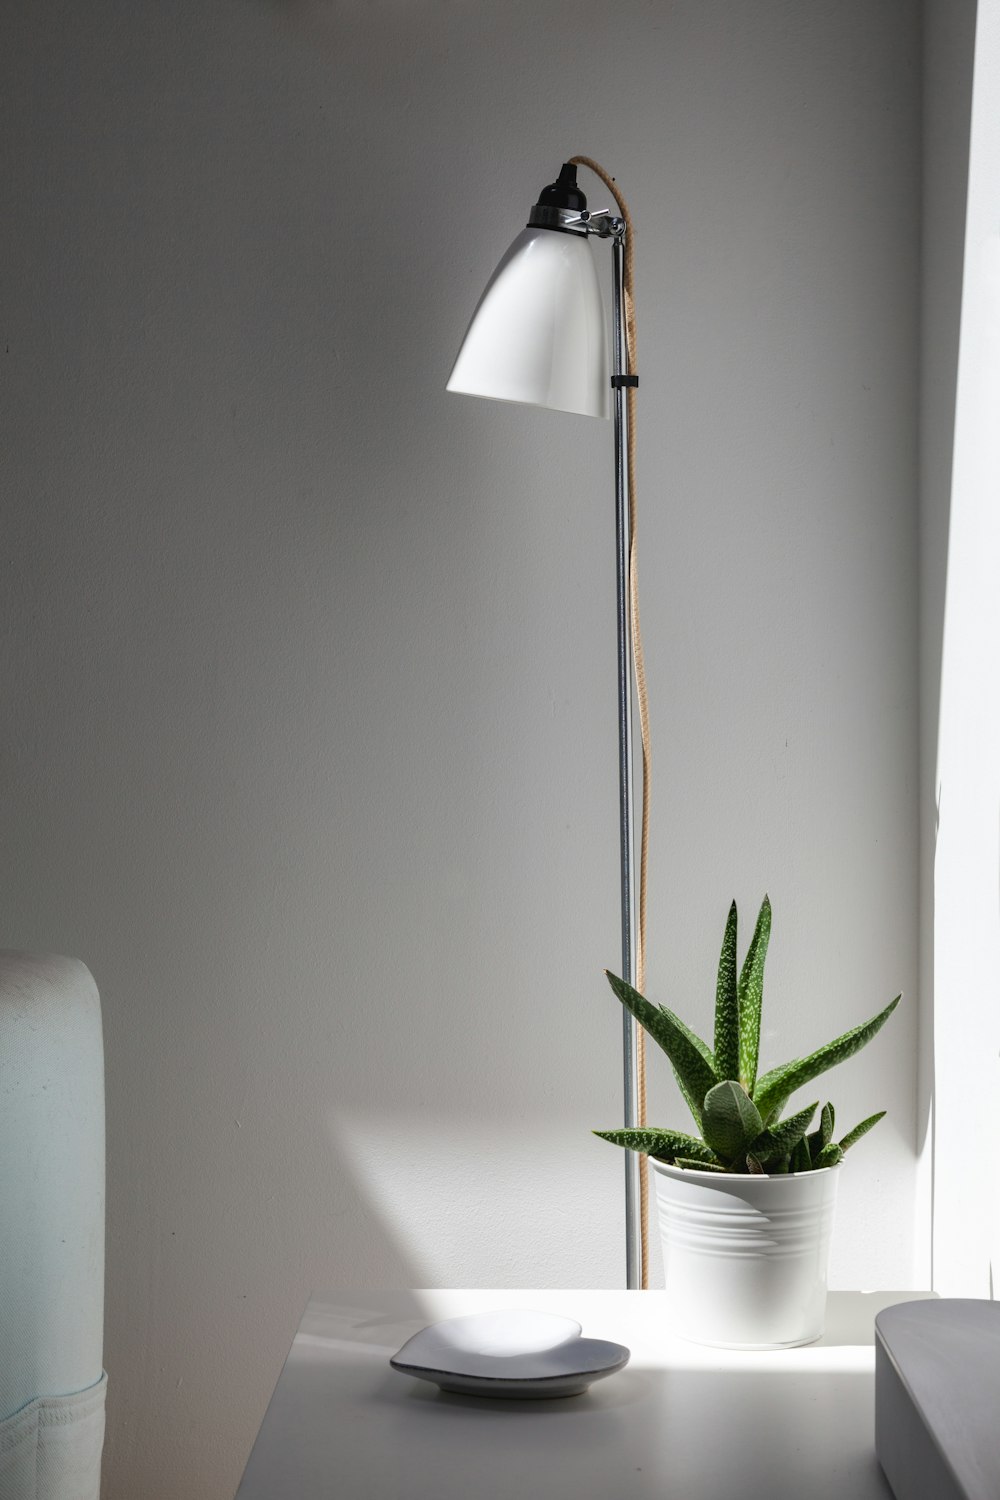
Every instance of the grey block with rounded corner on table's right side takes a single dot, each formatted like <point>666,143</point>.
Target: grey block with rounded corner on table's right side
<point>938,1399</point>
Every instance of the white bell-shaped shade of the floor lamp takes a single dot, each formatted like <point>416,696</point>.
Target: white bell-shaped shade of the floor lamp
<point>539,334</point>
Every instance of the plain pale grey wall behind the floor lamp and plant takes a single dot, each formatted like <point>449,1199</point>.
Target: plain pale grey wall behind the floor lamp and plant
<point>310,725</point>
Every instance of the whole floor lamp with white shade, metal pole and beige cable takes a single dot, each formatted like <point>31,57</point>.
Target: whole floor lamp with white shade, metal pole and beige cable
<point>539,337</point>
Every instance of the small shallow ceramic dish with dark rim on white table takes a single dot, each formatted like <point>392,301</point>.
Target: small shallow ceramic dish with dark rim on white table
<point>512,1354</point>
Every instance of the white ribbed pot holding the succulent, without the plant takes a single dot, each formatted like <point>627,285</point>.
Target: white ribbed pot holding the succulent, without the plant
<point>746,1258</point>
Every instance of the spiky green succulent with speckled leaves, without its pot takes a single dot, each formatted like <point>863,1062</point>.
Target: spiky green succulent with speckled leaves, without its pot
<point>737,1112</point>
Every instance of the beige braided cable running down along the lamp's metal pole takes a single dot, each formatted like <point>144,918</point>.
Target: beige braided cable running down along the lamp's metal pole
<point>641,685</point>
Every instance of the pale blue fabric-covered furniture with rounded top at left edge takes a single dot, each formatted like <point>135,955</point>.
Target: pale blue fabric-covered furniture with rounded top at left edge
<point>52,1229</point>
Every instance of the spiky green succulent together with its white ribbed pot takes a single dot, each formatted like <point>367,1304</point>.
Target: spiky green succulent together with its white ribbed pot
<point>746,1207</point>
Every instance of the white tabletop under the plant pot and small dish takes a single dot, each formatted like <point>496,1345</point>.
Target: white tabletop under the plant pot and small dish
<point>680,1423</point>
